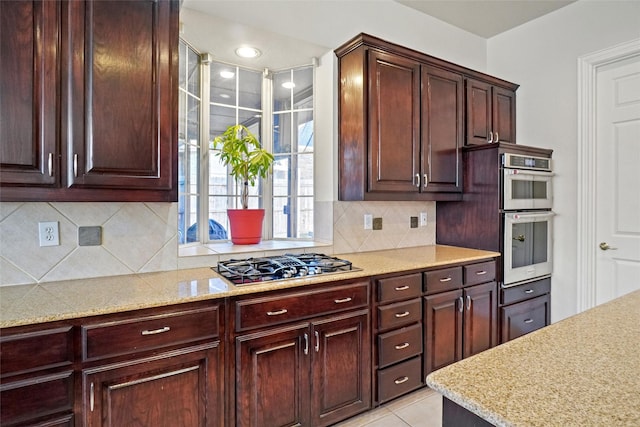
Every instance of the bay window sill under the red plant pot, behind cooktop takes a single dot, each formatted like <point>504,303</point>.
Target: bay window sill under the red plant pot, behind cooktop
<point>229,250</point>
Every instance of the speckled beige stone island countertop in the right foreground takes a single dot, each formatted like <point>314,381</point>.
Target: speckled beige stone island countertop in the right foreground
<point>582,371</point>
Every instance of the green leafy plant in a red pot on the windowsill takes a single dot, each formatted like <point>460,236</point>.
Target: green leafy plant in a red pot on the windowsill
<point>248,161</point>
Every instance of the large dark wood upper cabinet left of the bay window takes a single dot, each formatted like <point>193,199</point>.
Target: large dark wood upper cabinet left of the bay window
<point>101,123</point>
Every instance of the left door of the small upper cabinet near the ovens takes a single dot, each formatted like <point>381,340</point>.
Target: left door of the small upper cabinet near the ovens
<point>479,112</point>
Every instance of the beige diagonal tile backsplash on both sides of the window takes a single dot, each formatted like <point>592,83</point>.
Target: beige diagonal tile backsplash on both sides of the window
<point>142,237</point>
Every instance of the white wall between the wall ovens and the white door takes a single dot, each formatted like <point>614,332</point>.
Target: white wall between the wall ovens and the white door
<point>542,57</point>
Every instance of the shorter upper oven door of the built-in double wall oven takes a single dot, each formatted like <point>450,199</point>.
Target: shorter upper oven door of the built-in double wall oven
<point>526,189</point>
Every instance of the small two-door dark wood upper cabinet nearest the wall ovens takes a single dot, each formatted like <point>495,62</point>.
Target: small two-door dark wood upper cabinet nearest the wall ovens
<point>491,113</point>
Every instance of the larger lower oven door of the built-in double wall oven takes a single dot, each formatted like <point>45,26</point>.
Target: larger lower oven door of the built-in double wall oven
<point>528,245</point>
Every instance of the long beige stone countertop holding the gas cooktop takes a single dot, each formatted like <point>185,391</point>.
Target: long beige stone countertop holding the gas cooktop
<point>51,301</point>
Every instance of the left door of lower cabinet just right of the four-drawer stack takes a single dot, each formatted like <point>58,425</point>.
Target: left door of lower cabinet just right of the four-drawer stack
<point>443,329</point>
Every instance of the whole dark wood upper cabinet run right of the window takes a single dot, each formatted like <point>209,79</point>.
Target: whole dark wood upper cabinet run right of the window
<point>401,121</point>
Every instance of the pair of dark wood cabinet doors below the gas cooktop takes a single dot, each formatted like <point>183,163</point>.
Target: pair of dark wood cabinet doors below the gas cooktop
<point>308,374</point>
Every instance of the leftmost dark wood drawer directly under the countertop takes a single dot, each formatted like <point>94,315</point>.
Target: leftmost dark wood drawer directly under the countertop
<point>24,352</point>
